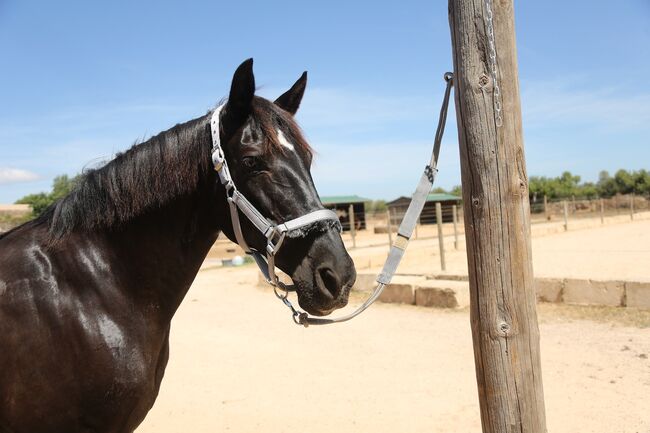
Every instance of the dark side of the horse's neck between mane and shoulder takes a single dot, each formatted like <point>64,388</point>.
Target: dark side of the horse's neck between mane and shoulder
<point>161,251</point>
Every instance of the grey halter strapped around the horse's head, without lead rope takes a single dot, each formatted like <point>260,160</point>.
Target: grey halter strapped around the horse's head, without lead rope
<point>274,233</point>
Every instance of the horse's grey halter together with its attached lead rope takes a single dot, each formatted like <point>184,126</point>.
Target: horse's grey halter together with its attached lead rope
<point>275,233</point>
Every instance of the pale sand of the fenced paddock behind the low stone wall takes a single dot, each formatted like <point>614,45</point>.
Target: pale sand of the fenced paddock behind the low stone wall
<point>618,250</point>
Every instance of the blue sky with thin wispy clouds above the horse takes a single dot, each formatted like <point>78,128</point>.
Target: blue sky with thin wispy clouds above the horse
<point>82,80</point>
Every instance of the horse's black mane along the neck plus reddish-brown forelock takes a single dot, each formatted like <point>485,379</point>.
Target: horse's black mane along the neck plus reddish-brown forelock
<point>152,173</point>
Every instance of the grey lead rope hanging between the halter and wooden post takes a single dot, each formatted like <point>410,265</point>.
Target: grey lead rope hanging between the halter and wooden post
<point>403,233</point>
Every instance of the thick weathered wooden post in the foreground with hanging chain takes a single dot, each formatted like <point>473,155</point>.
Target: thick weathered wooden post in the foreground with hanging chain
<point>497,219</point>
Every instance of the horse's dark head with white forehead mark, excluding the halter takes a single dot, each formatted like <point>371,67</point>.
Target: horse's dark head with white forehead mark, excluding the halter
<point>270,162</point>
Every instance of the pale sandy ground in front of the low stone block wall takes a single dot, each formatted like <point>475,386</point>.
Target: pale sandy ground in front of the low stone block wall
<point>239,364</point>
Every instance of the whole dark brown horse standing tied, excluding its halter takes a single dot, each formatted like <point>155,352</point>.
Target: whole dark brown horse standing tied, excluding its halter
<point>88,290</point>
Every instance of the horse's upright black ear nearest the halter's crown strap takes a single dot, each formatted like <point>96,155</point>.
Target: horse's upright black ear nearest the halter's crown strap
<point>241,95</point>
